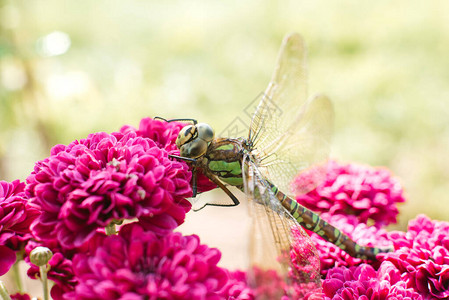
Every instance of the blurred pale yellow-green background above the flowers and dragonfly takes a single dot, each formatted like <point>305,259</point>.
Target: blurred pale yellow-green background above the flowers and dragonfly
<point>69,68</point>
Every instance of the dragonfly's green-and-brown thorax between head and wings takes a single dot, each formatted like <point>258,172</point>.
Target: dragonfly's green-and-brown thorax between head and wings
<point>224,159</point>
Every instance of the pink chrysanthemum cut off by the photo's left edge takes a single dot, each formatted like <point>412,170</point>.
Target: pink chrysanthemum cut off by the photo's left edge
<point>16,215</point>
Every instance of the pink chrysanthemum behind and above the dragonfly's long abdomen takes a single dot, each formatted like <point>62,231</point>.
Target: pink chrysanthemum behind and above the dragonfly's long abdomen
<point>369,193</point>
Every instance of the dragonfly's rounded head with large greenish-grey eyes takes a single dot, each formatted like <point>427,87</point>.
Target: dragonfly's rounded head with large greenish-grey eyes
<point>193,140</point>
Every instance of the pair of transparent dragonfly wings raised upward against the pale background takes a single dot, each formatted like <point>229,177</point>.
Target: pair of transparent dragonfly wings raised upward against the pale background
<point>291,134</point>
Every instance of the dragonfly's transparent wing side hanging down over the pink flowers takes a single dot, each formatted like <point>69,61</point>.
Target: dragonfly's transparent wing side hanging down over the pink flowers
<point>283,256</point>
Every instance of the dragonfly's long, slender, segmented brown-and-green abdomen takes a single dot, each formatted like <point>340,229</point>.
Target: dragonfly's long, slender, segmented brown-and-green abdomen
<point>313,222</point>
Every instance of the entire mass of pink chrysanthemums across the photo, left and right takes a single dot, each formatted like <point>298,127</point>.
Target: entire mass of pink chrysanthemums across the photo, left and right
<point>83,187</point>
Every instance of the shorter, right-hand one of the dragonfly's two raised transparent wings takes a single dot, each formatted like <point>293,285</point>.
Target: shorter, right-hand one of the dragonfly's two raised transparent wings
<point>303,146</point>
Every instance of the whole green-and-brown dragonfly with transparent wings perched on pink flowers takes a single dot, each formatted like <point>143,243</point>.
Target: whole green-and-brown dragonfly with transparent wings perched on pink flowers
<point>289,135</point>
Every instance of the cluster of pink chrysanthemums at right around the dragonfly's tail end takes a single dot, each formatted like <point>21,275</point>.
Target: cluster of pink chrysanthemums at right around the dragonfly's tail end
<point>418,268</point>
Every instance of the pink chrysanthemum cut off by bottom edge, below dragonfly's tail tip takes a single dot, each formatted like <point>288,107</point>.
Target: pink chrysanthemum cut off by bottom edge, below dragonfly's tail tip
<point>364,282</point>
